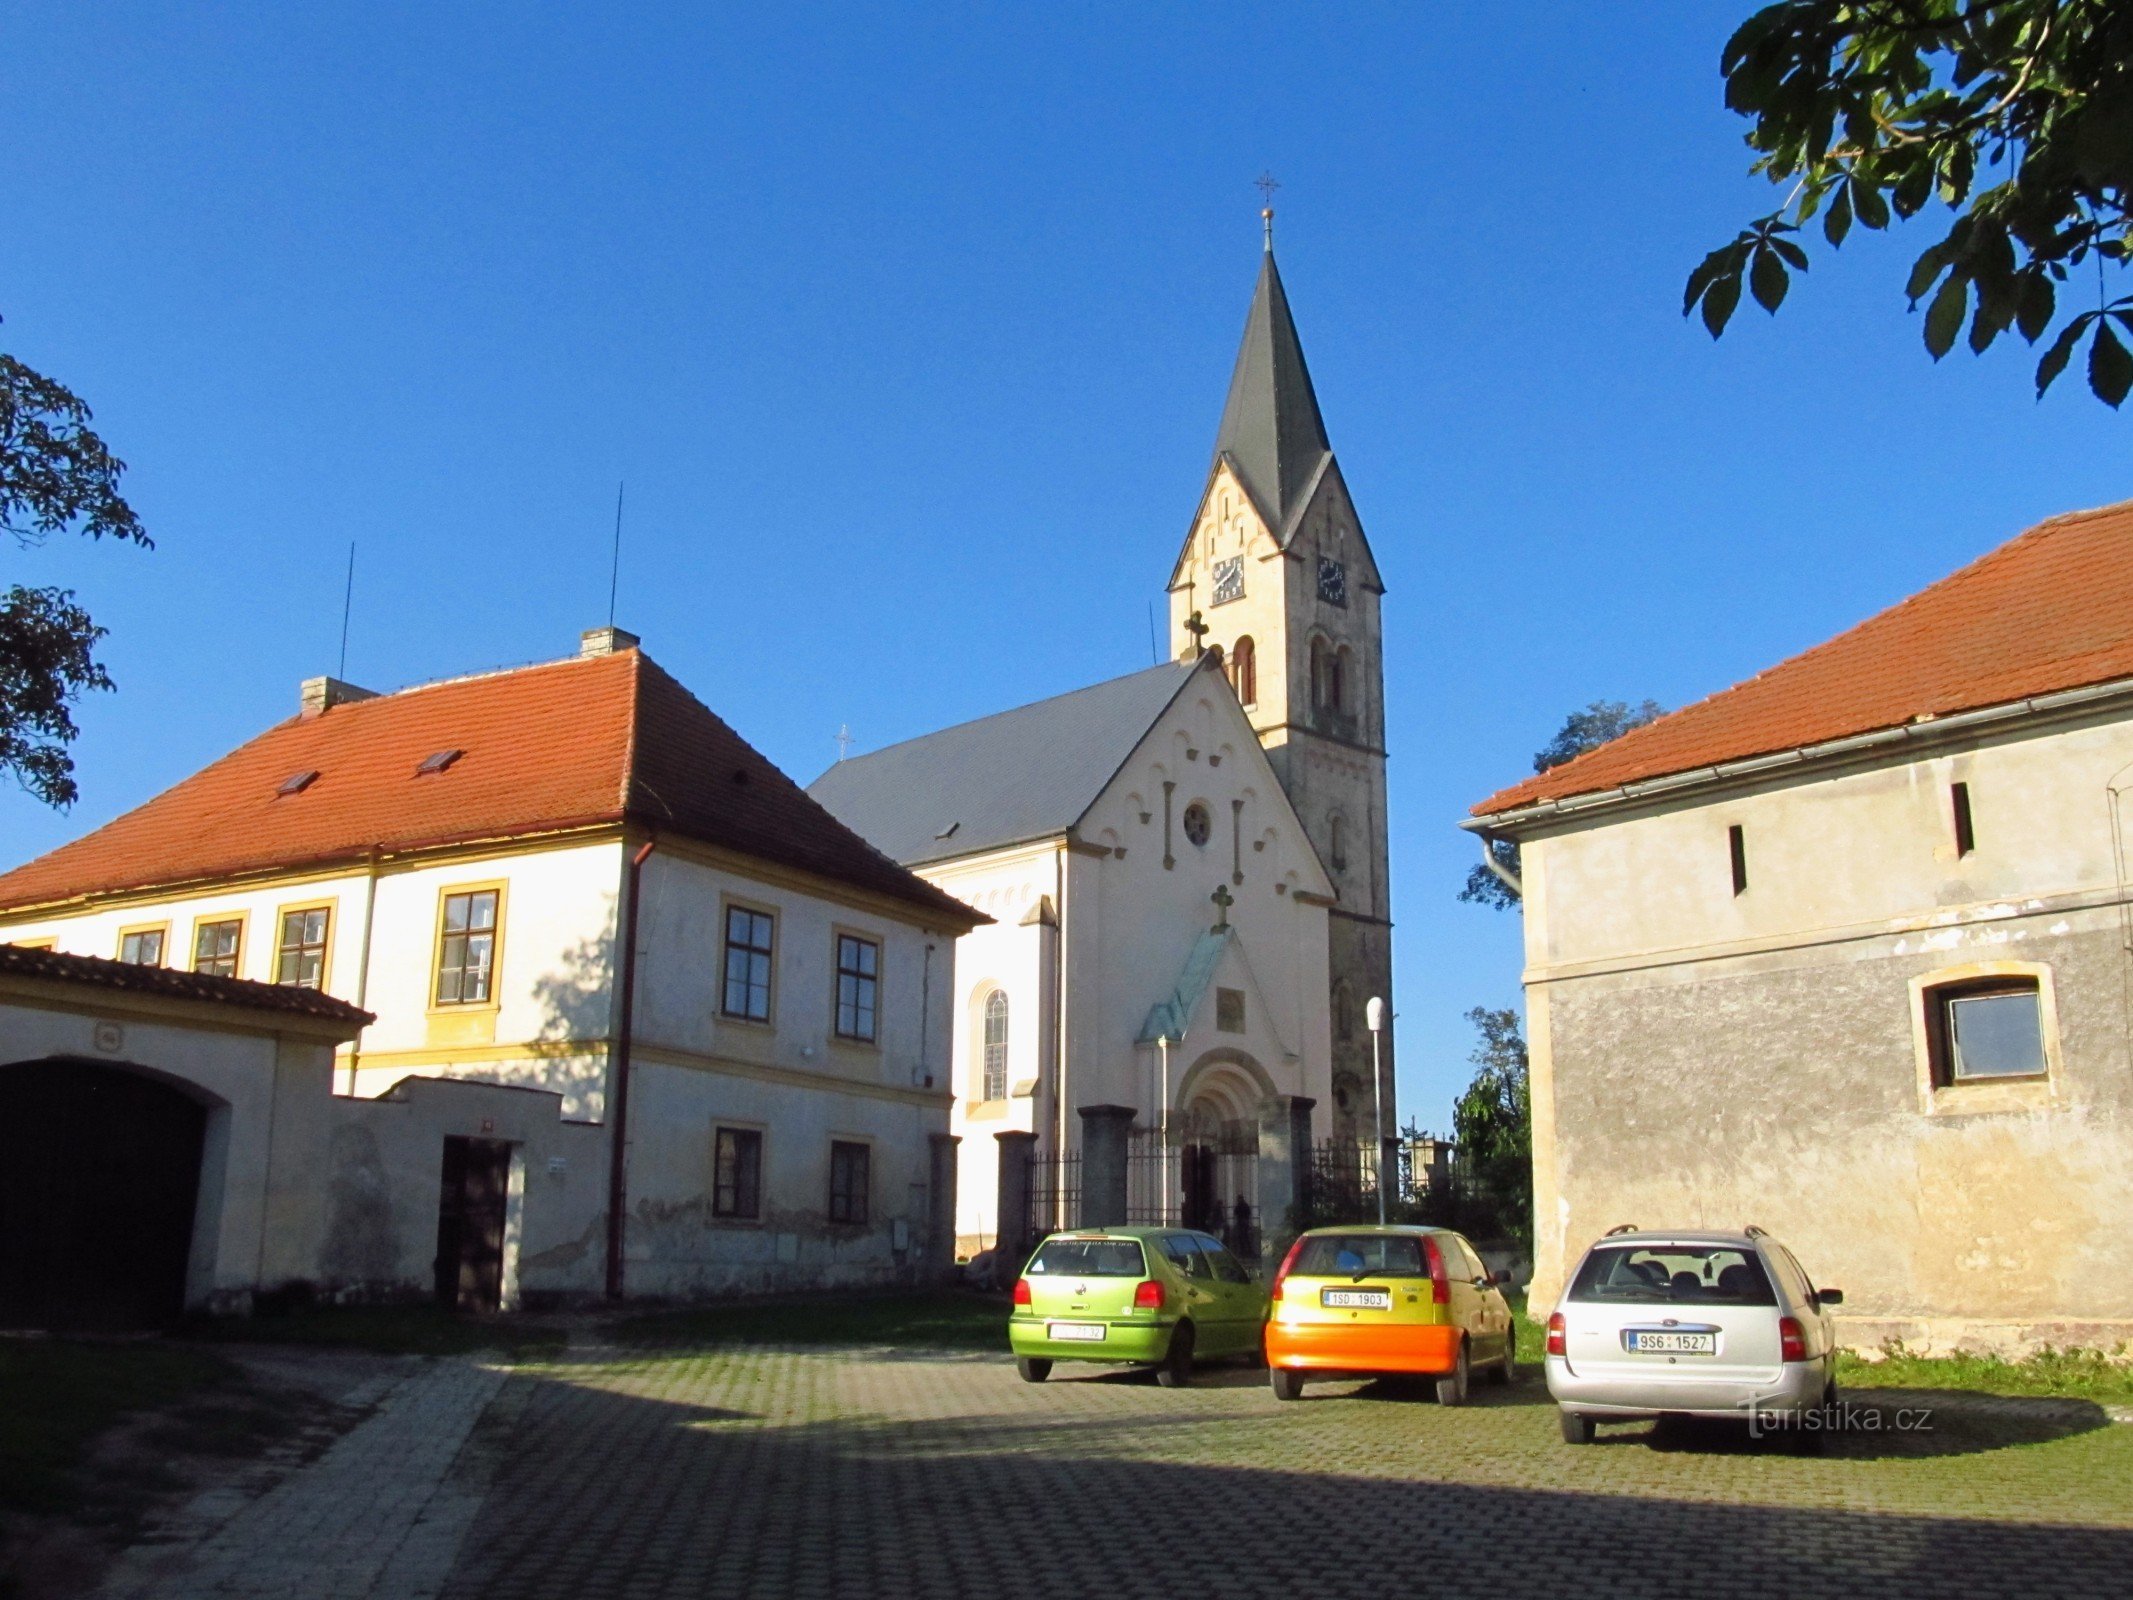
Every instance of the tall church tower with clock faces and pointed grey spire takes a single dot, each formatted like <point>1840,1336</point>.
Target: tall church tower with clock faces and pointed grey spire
<point>1279,577</point>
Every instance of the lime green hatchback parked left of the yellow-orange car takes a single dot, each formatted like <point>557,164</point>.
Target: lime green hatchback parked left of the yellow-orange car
<point>1153,1296</point>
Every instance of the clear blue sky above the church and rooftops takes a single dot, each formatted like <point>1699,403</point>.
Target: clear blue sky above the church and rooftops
<point>910,332</point>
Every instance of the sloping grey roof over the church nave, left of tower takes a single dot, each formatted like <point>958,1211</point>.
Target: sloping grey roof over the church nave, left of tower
<point>1004,780</point>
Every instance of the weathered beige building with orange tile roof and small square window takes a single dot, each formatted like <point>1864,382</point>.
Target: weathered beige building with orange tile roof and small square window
<point>1848,953</point>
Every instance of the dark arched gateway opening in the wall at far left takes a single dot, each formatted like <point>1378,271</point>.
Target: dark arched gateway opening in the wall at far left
<point>99,1179</point>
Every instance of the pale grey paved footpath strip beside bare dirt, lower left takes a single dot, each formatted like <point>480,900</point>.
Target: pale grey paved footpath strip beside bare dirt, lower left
<point>379,1516</point>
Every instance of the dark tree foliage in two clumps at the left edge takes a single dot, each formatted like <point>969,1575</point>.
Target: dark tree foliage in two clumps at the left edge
<point>57,477</point>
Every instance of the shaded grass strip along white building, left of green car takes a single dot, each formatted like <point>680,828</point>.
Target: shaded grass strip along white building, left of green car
<point>942,1322</point>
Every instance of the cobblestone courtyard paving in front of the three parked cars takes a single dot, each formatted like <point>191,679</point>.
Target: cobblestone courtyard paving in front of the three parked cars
<point>767,1473</point>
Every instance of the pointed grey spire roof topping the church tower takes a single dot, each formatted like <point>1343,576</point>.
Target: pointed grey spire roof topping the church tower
<point>1272,430</point>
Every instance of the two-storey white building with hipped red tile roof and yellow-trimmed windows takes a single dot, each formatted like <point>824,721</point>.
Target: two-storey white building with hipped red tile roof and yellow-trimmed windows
<point>466,861</point>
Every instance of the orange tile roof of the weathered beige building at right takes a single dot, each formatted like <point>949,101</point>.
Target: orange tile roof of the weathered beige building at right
<point>2042,613</point>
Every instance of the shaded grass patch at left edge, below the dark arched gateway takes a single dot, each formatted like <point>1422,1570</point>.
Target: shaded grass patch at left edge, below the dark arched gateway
<point>57,1396</point>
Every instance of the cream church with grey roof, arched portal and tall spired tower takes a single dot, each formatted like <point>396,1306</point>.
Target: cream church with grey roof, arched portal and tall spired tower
<point>1185,869</point>
